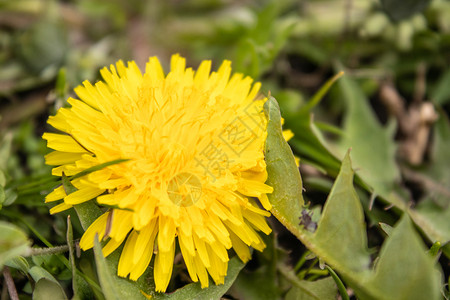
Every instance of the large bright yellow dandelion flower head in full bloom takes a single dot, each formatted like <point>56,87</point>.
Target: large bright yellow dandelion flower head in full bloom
<point>194,143</point>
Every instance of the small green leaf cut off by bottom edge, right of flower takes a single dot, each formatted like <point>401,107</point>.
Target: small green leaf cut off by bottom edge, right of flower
<point>322,289</point>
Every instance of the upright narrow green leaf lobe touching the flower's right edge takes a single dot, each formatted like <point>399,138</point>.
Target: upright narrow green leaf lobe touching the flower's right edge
<point>285,177</point>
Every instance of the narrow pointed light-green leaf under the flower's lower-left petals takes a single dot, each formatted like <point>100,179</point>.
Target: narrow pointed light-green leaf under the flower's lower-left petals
<point>109,287</point>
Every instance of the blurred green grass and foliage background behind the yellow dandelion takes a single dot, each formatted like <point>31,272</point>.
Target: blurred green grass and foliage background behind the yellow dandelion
<point>396,52</point>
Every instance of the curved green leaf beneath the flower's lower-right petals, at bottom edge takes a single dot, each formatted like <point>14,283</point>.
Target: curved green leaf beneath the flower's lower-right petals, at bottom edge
<point>194,291</point>
